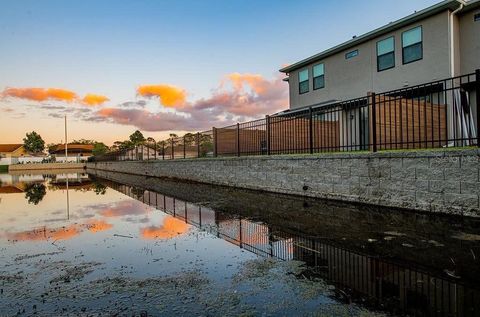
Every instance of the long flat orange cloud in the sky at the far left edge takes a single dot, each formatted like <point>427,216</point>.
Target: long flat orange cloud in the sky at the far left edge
<point>40,94</point>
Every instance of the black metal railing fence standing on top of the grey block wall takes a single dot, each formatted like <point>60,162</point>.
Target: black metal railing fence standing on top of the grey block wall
<point>432,115</point>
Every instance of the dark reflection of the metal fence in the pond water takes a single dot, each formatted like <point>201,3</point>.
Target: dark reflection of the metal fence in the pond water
<point>396,286</point>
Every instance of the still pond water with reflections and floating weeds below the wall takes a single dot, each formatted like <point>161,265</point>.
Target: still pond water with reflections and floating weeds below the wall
<point>113,244</point>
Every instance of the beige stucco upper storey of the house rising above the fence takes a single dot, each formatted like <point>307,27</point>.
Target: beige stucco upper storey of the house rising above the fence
<point>439,42</point>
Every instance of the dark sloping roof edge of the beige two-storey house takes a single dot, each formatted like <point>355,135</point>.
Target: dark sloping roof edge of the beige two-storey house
<point>420,15</point>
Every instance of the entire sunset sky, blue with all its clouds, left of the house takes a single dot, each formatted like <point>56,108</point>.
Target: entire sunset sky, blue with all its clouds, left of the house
<point>162,67</point>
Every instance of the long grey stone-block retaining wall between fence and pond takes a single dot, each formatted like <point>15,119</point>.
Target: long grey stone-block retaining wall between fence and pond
<point>434,181</point>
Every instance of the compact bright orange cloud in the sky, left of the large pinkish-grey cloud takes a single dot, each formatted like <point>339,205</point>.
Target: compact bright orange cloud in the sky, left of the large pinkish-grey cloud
<point>170,96</point>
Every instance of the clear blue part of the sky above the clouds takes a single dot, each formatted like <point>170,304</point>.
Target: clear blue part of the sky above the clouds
<point>112,47</point>
